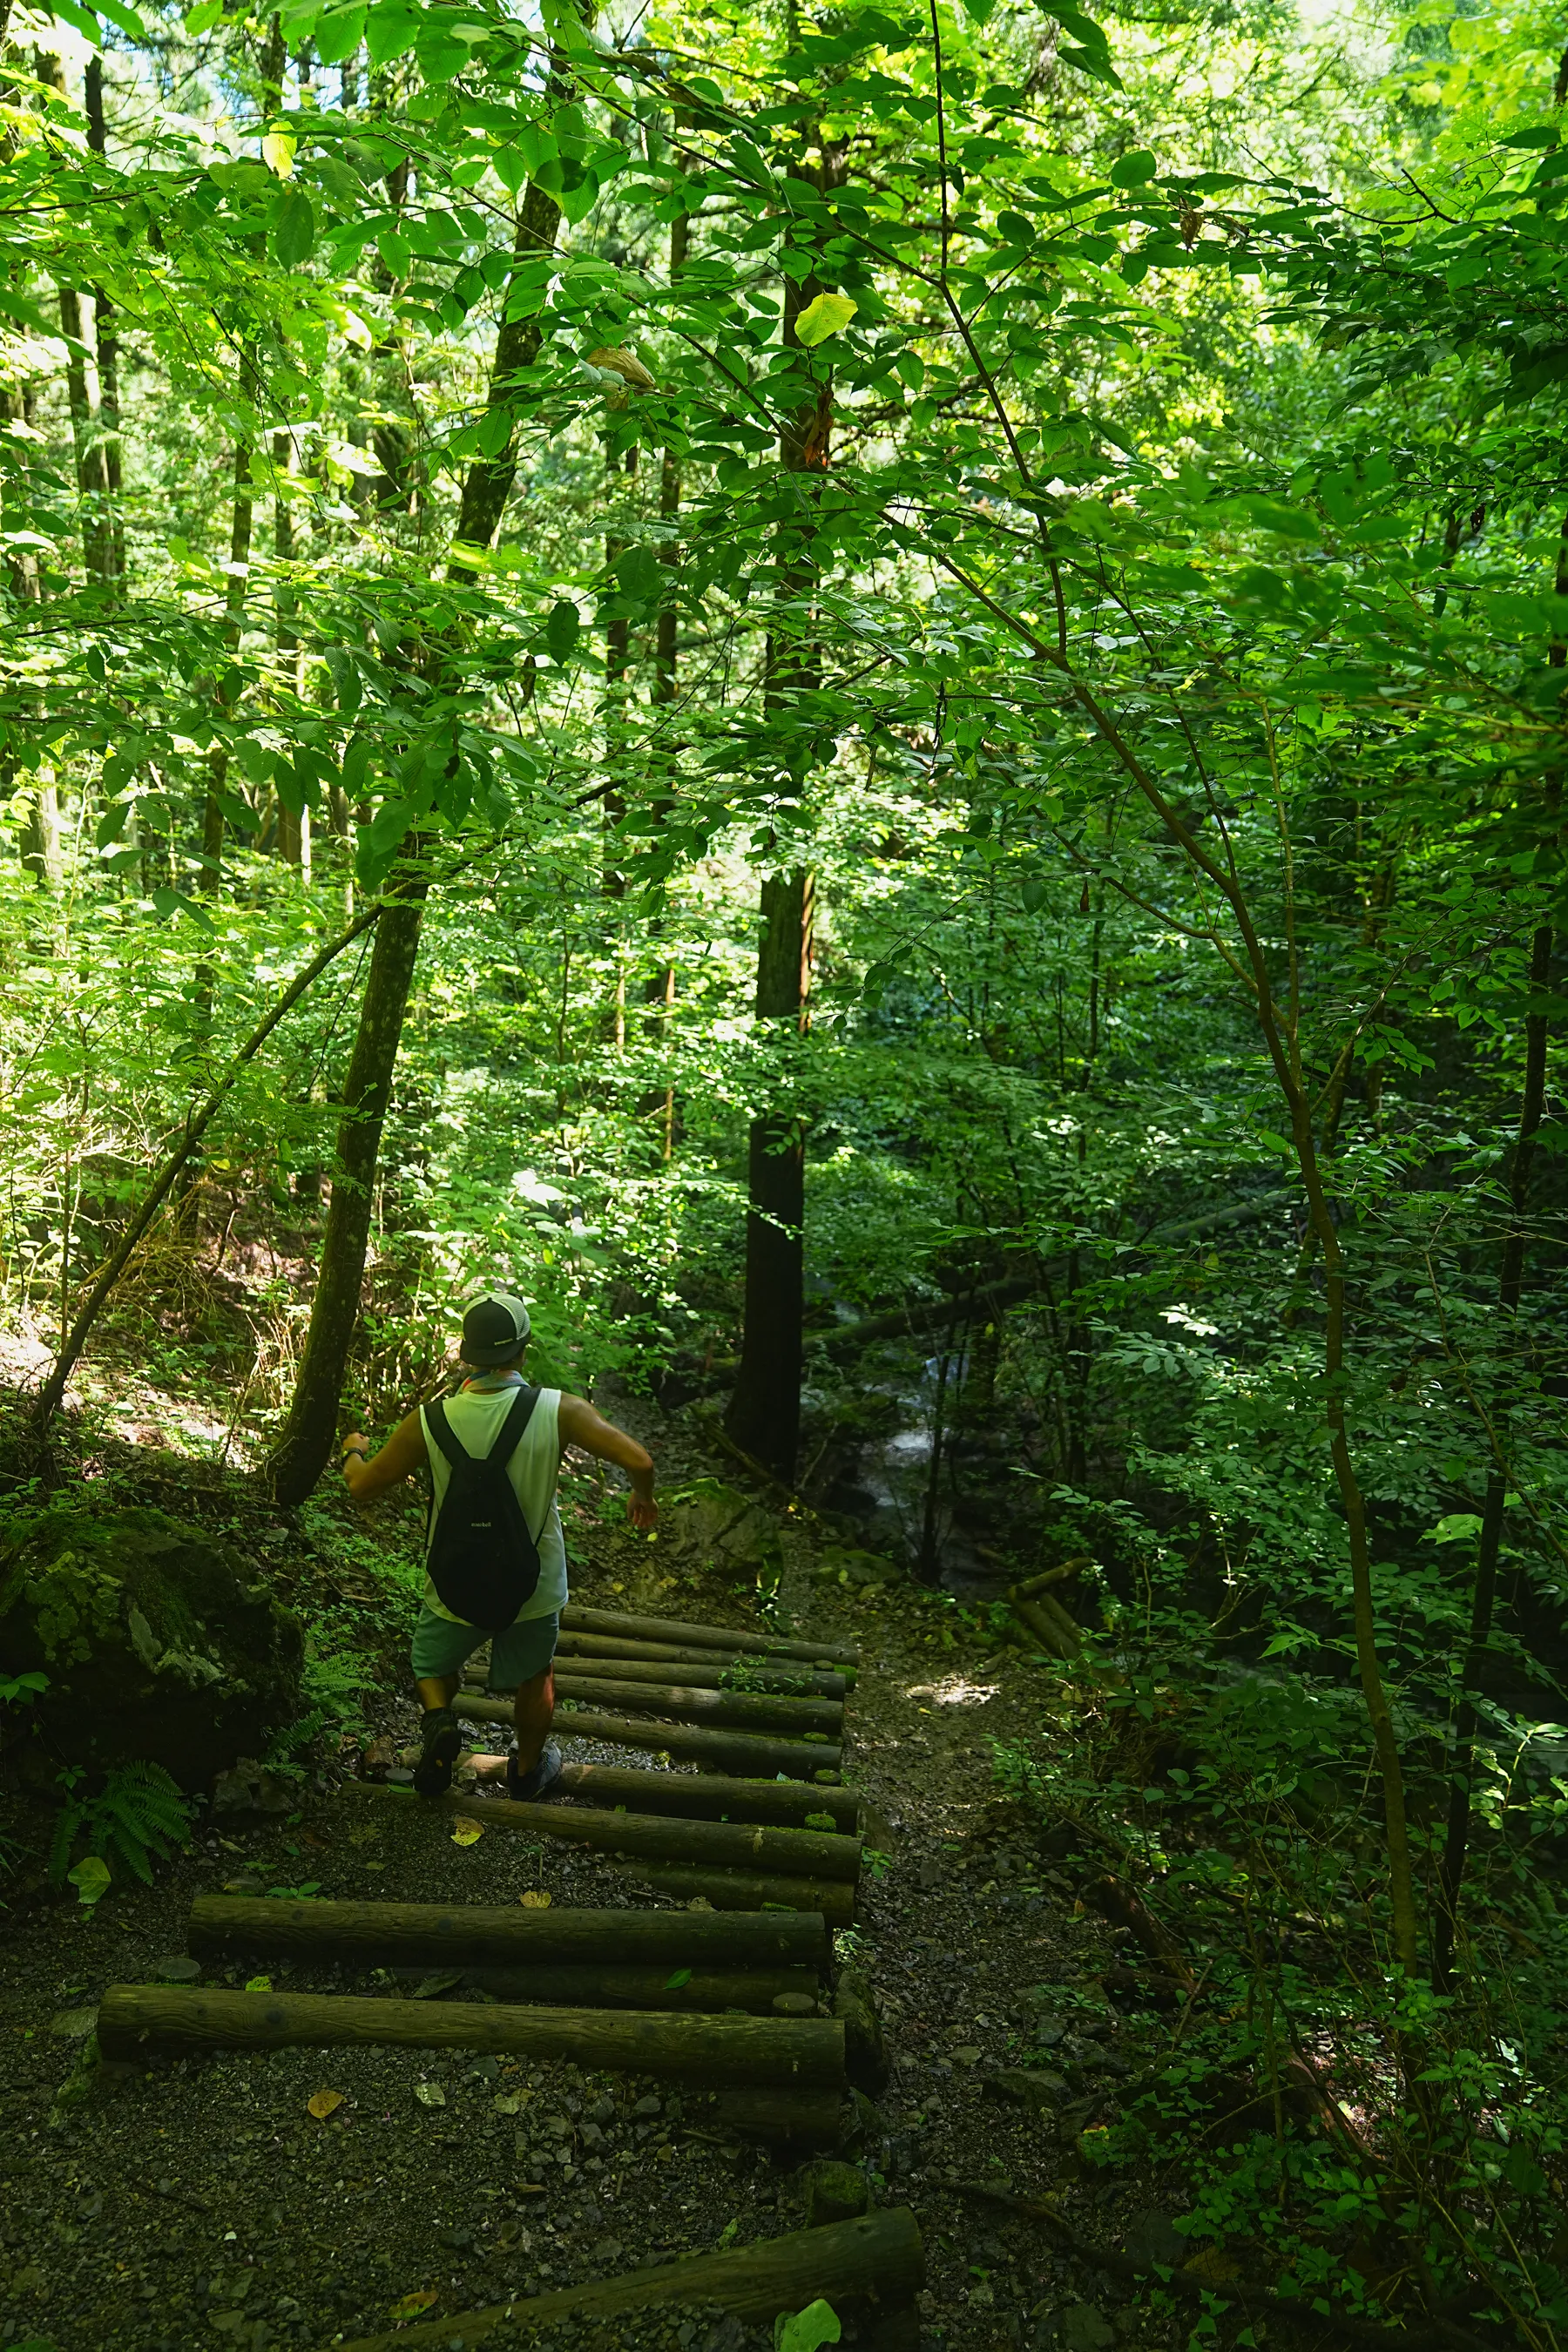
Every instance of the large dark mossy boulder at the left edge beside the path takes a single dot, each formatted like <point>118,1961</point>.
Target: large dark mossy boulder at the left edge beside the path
<point>156,1638</point>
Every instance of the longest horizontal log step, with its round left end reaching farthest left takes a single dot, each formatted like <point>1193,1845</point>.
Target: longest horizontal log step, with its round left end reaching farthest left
<point>138,2022</point>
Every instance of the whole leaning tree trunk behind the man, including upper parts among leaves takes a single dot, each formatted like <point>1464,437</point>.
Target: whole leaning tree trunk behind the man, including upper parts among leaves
<point>307,1438</point>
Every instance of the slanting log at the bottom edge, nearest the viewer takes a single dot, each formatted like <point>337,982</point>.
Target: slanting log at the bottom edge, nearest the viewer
<point>871,2261</point>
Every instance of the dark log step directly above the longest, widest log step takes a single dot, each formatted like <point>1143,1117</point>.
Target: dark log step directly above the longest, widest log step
<point>485,1937</point>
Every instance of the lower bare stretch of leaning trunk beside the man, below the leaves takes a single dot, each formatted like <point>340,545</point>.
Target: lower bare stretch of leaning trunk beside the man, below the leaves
<point>309,1434</point>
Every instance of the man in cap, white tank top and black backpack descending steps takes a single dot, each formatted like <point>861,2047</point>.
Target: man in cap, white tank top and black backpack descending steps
<point>495,1410</point>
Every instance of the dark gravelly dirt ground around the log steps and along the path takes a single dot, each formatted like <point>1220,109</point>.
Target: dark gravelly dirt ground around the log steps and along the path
<point>201,2205</point>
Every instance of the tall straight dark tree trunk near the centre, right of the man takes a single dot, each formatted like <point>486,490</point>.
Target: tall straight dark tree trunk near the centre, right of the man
<point>765,1405</point>
